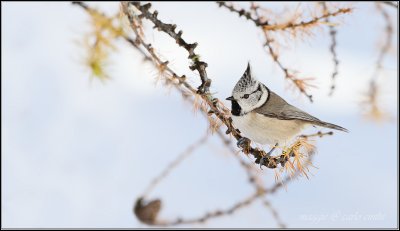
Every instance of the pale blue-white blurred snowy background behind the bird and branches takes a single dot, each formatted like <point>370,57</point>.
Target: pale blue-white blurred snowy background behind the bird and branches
<point>77,152</point>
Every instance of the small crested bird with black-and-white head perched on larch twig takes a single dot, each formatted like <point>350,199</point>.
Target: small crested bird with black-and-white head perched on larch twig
<point>266,118</point>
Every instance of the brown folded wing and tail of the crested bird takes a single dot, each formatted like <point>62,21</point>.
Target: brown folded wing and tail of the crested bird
<point>276,107</point>
